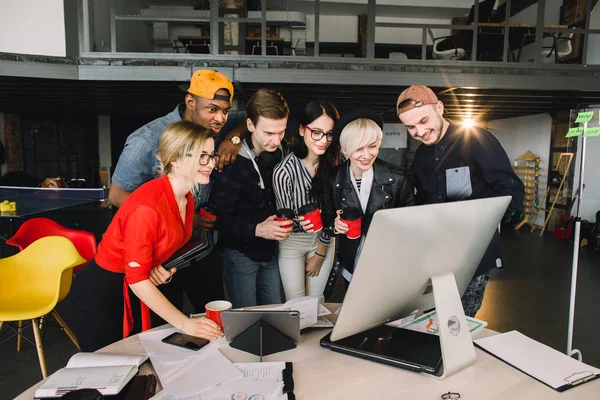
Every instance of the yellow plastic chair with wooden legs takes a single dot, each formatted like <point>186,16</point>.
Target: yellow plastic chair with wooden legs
<point>33,281</point>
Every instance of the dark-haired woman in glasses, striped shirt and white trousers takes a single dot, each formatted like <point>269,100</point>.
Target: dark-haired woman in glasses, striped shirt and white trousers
<point>306,257</point>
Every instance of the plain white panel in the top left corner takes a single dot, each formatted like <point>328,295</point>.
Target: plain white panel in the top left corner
<point>33,27</point>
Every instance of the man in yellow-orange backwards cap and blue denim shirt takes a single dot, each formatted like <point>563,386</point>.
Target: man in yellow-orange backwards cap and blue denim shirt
<point>207,103</point>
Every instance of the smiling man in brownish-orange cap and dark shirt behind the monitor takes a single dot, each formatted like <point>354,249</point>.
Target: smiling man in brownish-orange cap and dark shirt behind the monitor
<point>455,163</point>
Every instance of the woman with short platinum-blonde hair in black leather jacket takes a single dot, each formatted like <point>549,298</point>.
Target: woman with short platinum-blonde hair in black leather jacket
<point>362,184</point>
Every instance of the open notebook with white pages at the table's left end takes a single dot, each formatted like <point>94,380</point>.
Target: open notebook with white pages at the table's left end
<point>108,373</point>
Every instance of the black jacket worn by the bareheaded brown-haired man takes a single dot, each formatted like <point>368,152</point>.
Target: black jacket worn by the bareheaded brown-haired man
<point>241,205</point>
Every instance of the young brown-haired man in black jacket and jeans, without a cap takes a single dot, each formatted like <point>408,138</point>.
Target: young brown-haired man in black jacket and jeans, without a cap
<point>246,206</point>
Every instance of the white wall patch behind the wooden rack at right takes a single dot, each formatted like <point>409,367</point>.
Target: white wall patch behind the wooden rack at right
<point>532,132</point>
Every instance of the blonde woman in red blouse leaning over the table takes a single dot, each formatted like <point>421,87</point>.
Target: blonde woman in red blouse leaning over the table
<point>151,224</point>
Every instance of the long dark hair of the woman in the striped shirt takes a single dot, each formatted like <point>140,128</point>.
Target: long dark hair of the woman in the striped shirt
<point>327,161</point>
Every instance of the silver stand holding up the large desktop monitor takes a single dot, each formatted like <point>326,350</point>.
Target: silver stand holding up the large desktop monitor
<point>455,338</point>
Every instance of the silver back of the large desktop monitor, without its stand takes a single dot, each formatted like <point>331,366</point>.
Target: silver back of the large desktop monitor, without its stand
<point>405,248</point>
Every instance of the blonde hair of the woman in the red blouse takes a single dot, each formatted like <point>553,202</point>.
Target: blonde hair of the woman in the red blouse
<point>177,141</point>
